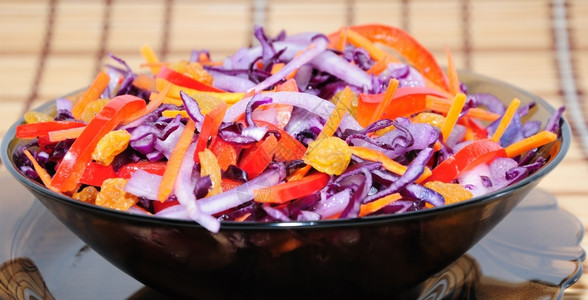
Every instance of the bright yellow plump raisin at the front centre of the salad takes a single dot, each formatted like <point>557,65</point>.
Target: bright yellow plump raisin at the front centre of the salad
<point>329,155</point>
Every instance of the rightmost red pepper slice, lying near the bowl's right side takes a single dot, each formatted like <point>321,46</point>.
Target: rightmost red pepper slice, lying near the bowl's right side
<point>470,156</point>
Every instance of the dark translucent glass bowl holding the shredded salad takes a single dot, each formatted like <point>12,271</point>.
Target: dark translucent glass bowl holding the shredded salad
<point>364,257</point>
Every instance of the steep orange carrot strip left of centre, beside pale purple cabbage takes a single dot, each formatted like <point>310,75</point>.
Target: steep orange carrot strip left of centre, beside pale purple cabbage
<point>175,161</point>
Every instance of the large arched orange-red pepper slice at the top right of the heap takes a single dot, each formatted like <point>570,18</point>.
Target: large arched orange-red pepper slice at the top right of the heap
<point>407,46</point>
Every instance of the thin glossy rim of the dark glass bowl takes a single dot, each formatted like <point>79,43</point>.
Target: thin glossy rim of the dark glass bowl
<point>565,142</point>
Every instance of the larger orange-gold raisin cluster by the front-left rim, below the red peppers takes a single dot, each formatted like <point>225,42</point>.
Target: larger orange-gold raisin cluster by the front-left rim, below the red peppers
<point>112,195</point>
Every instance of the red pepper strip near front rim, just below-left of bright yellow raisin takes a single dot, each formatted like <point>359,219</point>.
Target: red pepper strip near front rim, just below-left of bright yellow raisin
<point>284,192</point>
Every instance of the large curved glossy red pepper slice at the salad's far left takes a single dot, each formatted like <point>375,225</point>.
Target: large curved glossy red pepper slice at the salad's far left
<point>71,168</point>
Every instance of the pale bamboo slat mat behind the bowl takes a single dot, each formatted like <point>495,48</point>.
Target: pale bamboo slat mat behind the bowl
<point>49,48</point>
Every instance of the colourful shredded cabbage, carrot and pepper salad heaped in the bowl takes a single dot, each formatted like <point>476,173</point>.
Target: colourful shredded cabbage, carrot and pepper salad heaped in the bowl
<point>301,127</point>
